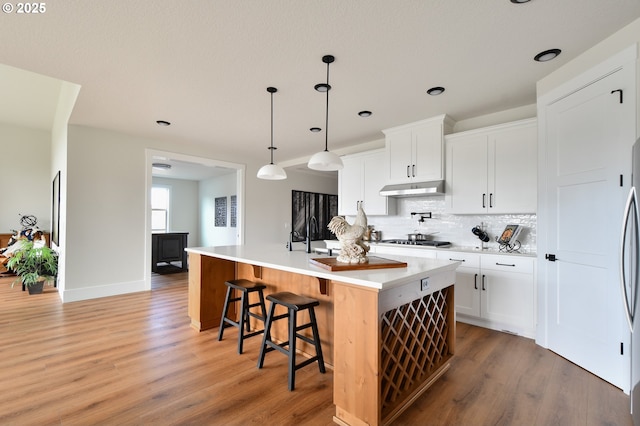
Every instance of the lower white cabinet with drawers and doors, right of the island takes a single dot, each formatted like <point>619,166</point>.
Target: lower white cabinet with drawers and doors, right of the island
<point>495,291</point>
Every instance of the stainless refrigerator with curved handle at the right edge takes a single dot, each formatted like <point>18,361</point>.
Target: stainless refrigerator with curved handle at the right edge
<point>630,272</point>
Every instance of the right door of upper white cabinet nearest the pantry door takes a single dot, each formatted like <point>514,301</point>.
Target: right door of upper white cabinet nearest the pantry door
<point>513,170</point>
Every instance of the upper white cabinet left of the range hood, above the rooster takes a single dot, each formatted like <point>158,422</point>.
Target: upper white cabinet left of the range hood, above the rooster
<point>360,181</point>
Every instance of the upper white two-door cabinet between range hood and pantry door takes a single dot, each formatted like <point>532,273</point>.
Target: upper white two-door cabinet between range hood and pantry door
<point>493,170</point>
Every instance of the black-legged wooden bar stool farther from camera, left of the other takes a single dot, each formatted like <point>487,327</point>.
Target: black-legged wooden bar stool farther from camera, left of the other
<point>245,288</point>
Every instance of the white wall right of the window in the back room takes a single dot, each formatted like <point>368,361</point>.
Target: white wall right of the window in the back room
<point>183,208</point>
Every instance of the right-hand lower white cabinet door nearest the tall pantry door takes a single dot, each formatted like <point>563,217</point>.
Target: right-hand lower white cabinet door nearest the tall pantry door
<point>507,298</point>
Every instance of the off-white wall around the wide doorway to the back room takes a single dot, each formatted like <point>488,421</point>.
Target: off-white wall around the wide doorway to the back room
<point>106,208</point>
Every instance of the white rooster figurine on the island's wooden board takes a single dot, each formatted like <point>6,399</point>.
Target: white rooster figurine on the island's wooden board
<point>352,247</point>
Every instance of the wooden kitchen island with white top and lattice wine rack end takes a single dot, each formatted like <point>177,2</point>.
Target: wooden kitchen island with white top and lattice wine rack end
<point>388,334</point>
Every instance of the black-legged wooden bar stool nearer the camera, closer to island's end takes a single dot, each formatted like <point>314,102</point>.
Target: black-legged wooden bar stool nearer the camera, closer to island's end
<point>294,304</point>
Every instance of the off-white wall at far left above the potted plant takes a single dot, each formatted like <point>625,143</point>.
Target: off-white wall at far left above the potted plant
<point>25,176</point>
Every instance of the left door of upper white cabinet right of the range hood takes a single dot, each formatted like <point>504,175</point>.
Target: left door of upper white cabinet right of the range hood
<point>467,174</point>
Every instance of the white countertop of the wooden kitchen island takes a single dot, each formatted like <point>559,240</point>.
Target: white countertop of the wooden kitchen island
<point>297,261</point>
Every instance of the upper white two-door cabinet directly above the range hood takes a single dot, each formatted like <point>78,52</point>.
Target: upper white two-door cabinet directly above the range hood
<point>415,151</point>
